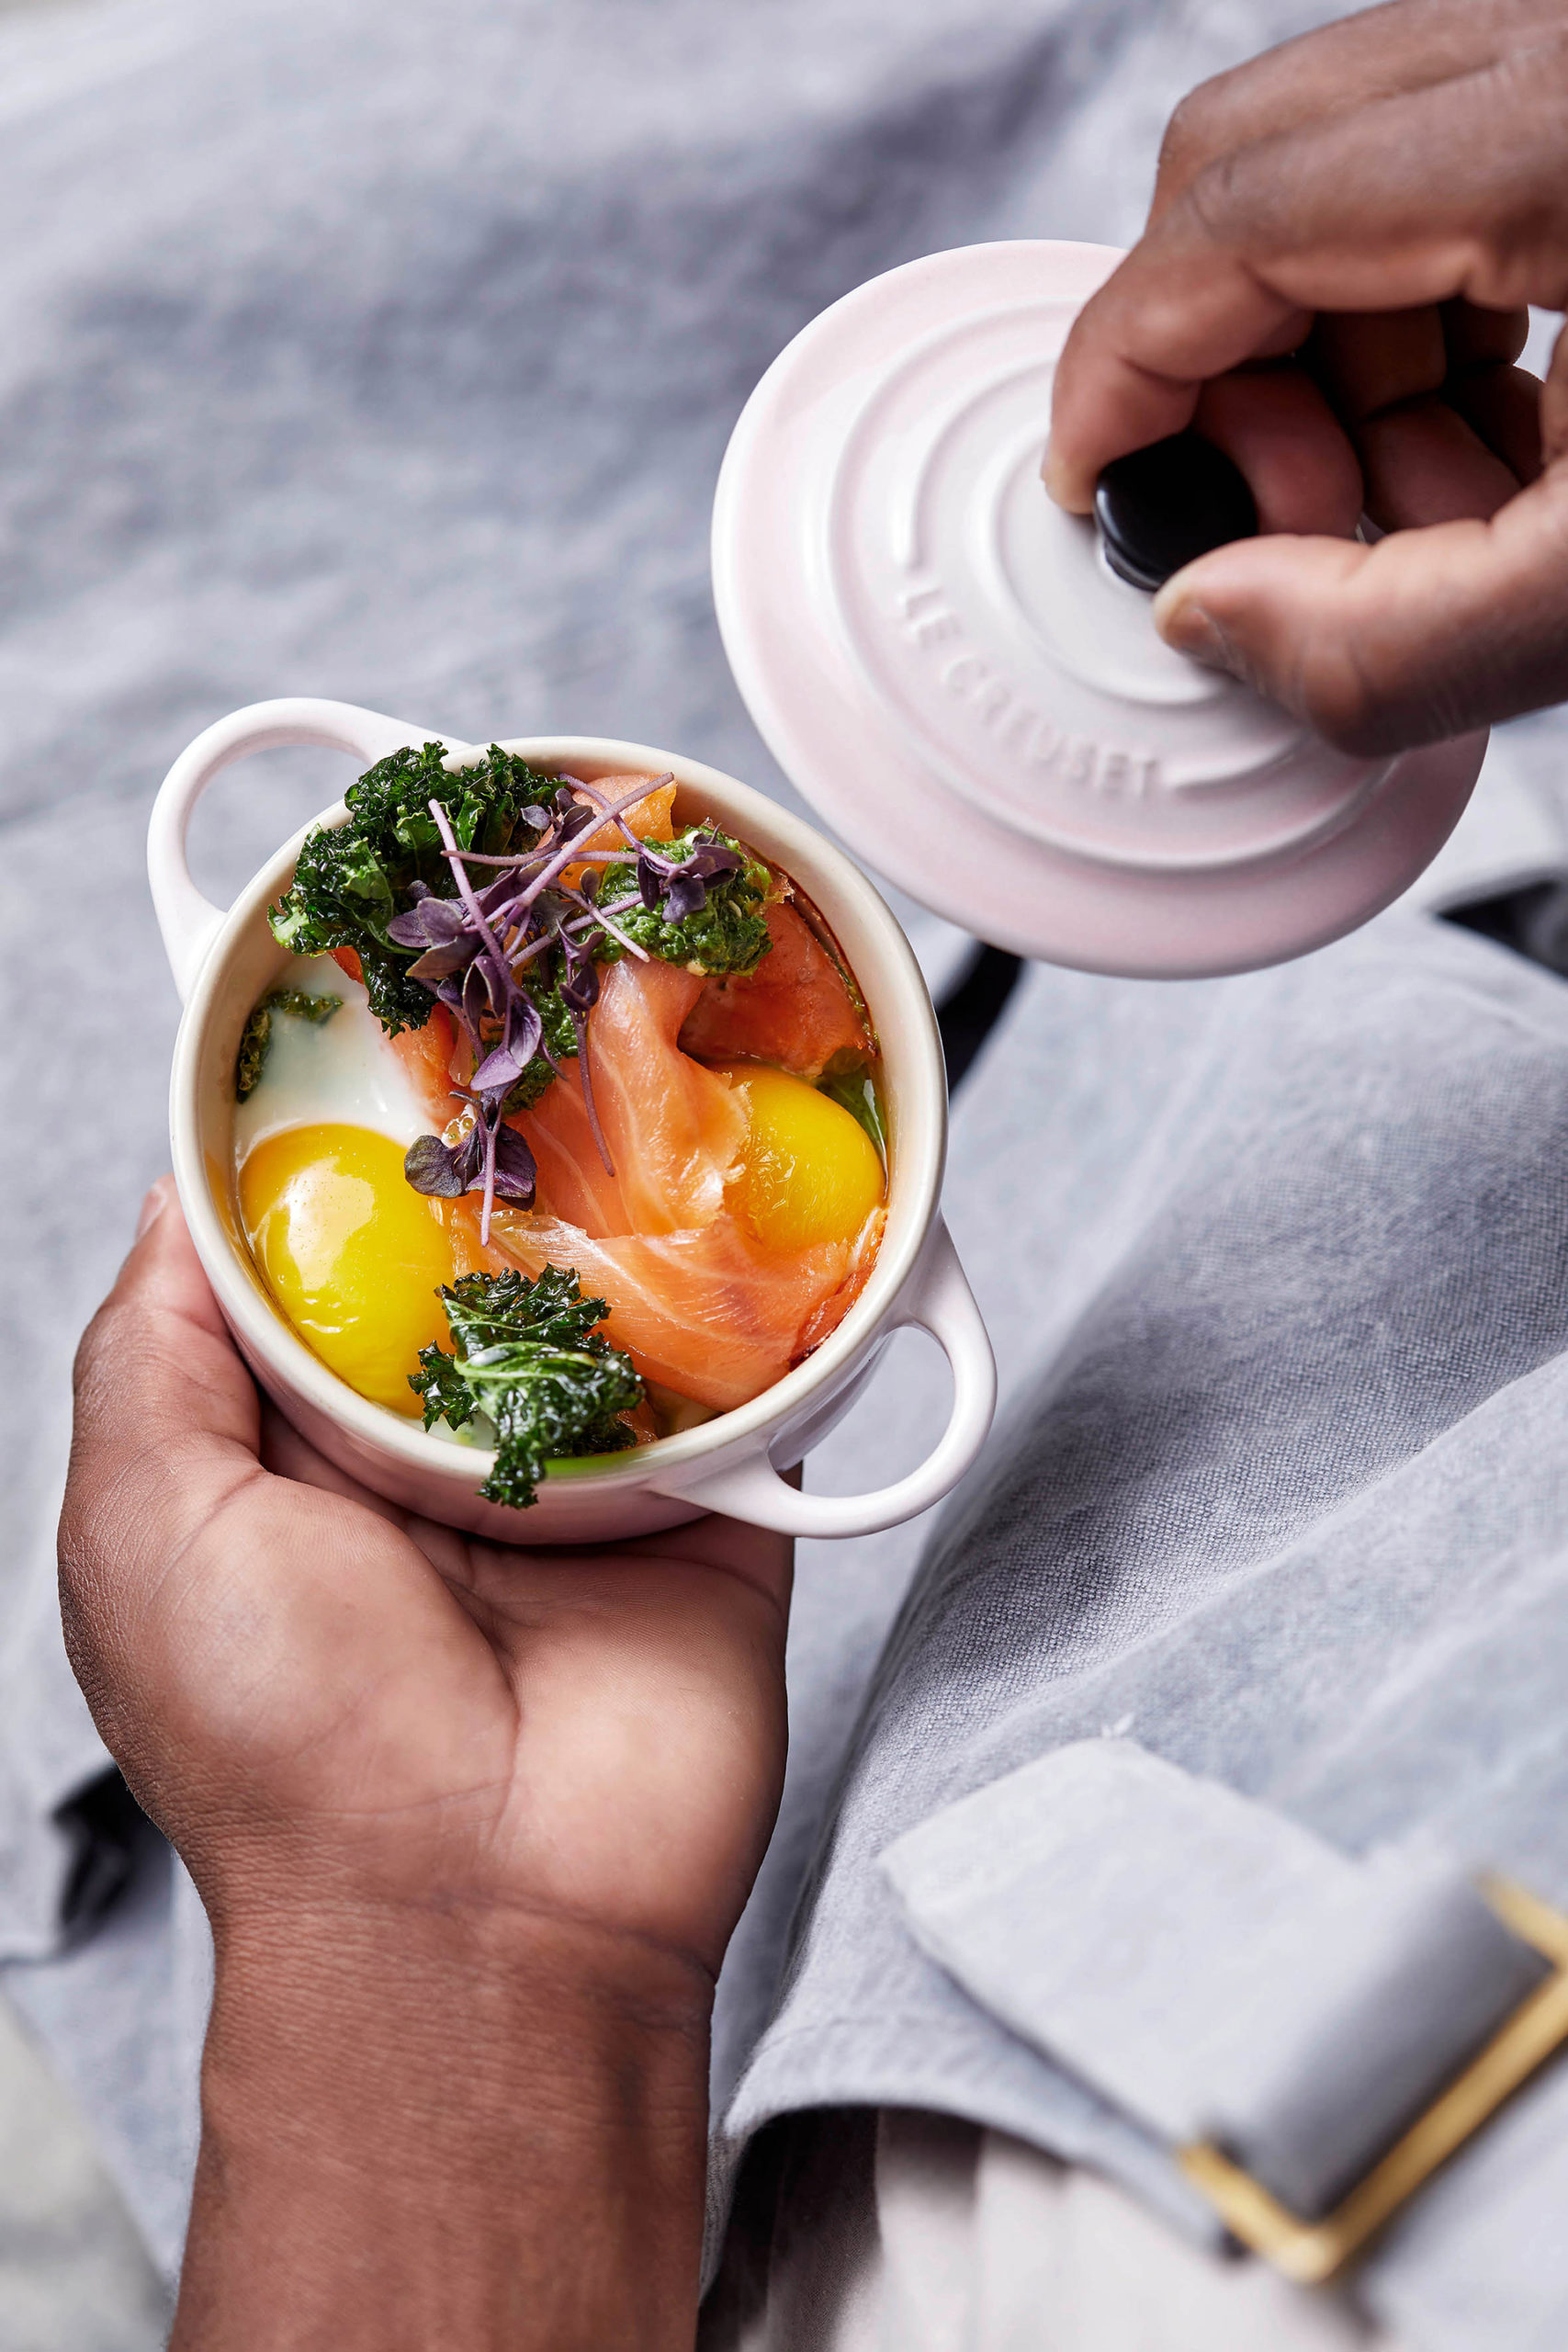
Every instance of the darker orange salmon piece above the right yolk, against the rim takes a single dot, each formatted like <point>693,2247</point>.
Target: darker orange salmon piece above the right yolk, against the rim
<point>793,1010</point>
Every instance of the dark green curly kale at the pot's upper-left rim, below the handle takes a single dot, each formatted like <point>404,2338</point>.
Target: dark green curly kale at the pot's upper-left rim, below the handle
<point>354,881</point>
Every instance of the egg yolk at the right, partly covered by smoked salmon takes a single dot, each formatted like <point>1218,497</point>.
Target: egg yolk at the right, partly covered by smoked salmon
<point>810,1170</point>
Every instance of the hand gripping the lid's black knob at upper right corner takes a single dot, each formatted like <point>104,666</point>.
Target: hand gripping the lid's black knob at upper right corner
<point>1372,225</point>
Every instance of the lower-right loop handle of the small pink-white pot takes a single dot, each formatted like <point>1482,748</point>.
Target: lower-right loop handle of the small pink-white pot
<point>939,1302</point>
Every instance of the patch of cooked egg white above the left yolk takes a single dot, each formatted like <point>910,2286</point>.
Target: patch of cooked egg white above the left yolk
<point>342,1071</point>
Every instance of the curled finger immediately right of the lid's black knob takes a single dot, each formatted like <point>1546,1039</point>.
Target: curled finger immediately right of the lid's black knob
<point>1289,446</point>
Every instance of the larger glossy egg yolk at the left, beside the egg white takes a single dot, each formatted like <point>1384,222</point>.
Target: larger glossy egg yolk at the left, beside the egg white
<point>351,1252</point>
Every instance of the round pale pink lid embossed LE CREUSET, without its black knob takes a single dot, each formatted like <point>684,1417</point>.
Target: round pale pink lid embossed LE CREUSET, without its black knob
<point>963,688</point>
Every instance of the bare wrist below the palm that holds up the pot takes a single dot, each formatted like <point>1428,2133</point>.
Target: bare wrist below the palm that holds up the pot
<point>469,2125</point>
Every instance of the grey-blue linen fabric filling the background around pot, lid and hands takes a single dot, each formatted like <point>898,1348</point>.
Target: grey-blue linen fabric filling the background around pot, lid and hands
<point>389,354</point>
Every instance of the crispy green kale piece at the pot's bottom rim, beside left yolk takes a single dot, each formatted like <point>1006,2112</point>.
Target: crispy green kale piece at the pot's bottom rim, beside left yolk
<point>528,1358</point>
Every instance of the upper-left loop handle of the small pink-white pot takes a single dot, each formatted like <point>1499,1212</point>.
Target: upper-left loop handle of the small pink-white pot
<point>189,921</point>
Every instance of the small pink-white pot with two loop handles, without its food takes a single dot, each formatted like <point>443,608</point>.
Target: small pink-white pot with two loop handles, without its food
<point>735,1462</point>
